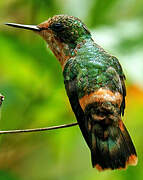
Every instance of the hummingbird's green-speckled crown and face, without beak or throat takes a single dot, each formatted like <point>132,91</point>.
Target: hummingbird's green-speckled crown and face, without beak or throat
<point>67,29</point>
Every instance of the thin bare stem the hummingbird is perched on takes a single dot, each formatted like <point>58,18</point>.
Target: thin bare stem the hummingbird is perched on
<point>39,129</point>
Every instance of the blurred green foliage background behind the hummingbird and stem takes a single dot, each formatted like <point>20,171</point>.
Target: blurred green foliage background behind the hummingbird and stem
<point>32,83</point>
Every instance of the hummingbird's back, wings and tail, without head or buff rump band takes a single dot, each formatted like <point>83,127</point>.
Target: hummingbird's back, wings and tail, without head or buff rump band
<point>91,69</point>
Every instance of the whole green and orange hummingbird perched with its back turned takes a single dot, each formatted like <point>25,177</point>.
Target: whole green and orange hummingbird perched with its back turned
<point>94,82</point>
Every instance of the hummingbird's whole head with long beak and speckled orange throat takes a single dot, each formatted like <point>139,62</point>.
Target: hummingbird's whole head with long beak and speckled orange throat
<point>62,33</point>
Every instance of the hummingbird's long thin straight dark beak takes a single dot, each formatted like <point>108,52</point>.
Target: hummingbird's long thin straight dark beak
<point>29,27</point>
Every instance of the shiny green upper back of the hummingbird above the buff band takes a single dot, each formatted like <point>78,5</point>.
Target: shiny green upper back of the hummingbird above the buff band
<point>94,68</point>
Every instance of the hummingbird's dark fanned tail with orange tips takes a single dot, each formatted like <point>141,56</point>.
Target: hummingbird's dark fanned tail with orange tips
<point>113,151</point>
